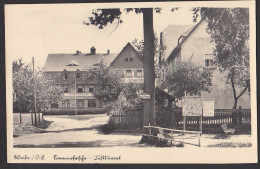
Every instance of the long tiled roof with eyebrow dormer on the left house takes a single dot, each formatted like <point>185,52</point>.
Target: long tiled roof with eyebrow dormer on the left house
<point>58,62</point>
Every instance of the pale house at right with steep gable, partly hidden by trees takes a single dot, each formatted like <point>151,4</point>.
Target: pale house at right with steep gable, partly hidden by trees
<point>194,44</point>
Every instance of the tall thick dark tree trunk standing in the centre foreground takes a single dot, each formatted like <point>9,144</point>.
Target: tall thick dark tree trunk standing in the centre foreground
<point>149,73</point>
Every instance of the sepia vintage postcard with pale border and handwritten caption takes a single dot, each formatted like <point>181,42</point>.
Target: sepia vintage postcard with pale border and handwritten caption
<point>156,77</point>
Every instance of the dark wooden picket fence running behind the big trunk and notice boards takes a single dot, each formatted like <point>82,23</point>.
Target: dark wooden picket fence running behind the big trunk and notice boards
<point>174,119</point>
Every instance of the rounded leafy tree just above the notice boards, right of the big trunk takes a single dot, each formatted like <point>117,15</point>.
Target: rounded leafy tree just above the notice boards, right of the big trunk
<point>188,78</point>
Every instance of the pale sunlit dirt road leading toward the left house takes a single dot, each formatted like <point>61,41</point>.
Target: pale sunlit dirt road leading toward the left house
<point>75,131</point>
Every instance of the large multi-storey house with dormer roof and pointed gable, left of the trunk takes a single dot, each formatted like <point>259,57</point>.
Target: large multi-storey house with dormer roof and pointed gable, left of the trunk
<point>69,70</point>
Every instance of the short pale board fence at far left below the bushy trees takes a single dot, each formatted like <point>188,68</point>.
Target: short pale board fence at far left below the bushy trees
<point>26,118</point>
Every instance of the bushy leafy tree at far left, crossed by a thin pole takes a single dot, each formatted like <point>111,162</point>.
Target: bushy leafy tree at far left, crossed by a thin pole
<point>23,86</point>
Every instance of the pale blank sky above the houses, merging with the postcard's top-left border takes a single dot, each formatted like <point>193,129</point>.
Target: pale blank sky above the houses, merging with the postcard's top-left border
<point>36,30</point>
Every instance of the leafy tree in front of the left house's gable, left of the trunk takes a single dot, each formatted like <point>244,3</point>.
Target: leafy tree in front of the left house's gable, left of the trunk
<point>117,96</point>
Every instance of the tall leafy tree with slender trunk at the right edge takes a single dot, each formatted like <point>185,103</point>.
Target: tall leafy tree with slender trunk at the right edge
<point>229,29</point>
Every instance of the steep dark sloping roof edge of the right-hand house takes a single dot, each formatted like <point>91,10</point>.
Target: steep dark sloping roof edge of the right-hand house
<point>186,36</point>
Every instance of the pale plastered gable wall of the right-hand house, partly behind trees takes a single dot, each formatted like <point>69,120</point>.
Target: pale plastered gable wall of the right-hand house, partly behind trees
<point>197,48</point>
